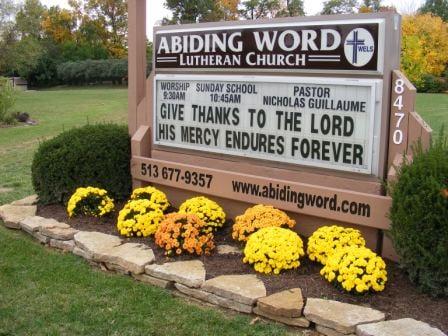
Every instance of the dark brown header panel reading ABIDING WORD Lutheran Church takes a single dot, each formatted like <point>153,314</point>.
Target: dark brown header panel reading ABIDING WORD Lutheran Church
<point>342,46</point>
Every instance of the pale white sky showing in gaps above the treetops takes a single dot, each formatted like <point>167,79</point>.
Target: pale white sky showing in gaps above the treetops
<point>156,11</point>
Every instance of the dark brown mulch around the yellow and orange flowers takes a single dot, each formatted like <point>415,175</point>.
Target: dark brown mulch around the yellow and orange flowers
<point>400,298</point>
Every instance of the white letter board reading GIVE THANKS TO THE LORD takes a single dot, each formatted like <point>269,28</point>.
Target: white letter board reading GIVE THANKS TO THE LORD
<point>320,122</point>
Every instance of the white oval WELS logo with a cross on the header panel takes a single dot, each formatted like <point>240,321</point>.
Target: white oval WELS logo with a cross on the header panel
<point>359,47</point>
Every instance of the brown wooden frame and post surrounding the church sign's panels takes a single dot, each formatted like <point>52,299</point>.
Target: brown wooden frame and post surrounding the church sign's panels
<point>176,166</point>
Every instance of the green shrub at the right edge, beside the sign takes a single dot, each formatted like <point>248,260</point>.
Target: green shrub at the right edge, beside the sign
<point>419,216</point>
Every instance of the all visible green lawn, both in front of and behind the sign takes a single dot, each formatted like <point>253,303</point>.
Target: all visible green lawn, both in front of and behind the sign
<point>44,292</point>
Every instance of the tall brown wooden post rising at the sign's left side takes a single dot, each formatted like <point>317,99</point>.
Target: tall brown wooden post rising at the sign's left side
<point>136,59</point>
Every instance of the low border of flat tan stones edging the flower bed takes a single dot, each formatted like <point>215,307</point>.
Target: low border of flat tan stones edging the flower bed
<point>242,293</point>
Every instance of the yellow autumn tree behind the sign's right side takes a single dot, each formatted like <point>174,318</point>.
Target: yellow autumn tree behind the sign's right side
<point>424,46</point>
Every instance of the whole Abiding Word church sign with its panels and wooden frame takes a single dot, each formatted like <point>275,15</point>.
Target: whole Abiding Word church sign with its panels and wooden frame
<point>308,114</point>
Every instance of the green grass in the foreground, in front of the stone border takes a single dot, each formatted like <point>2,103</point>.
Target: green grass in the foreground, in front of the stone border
<point>46,292</point>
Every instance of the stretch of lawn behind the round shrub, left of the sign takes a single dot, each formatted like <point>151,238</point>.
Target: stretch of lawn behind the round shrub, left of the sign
<point>55,110</point>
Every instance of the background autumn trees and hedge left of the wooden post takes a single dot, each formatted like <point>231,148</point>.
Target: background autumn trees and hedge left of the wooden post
<point>41,38</point>
